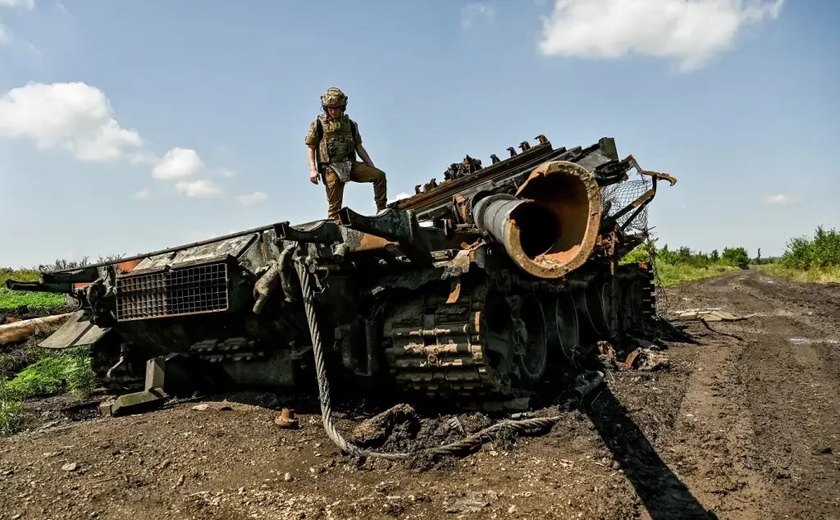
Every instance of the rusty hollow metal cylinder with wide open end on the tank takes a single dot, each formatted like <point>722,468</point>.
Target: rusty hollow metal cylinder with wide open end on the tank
<point>550,226</point>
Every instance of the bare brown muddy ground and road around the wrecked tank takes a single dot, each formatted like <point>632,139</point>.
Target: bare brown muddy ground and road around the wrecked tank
<point>745,423</point>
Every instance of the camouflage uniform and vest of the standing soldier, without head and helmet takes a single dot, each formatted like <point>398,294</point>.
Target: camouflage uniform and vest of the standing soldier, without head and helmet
<point>336,141</point>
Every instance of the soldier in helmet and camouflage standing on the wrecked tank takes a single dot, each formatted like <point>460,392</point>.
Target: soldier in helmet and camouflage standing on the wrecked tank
<point>333,141</point>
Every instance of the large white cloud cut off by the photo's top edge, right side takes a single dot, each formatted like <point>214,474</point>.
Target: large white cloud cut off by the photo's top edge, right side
<point>691,31</point>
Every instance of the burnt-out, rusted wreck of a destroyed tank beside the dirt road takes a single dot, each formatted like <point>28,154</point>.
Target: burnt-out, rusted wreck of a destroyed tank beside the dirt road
<point>468,291</point>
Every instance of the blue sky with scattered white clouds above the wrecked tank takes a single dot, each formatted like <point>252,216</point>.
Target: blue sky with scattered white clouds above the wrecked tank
<point>137,125</point>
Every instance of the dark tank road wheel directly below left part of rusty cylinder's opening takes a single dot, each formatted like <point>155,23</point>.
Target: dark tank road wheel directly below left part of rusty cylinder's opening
<point>530,334</point>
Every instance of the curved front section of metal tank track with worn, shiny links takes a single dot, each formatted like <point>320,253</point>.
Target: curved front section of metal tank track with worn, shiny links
<point>436,348</point>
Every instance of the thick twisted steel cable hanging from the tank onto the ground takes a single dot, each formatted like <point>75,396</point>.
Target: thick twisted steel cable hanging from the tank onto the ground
<point>471,442</point>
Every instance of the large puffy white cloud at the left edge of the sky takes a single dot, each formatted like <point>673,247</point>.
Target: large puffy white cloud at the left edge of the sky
<point>73,116</point>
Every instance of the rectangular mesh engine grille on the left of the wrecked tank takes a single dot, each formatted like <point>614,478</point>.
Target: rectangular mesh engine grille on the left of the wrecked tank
<point>176,292</point>
